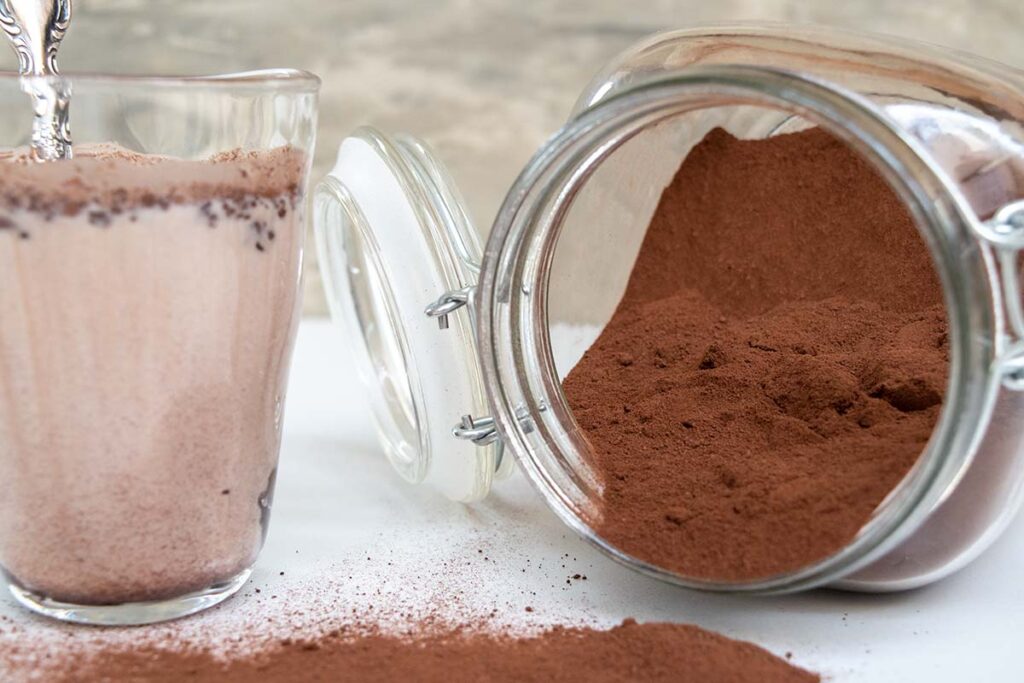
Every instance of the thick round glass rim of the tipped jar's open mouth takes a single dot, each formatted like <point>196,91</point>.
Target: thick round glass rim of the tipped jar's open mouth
<point>516,345</point>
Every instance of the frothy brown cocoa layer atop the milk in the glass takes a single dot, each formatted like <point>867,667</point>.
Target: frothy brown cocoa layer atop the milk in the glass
<point>112,179</point>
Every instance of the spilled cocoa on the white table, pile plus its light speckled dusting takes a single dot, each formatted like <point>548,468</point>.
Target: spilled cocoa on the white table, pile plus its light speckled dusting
<point>477,592</point>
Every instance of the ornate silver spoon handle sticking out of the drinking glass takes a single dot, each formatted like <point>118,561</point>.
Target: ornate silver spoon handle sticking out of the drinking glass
<point>35,29</point>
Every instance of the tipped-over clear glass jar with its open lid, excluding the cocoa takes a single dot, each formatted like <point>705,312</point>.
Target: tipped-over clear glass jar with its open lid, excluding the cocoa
<point>465,349</point>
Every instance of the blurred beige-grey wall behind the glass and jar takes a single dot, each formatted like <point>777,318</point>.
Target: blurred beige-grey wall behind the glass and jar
<point>485,82</point>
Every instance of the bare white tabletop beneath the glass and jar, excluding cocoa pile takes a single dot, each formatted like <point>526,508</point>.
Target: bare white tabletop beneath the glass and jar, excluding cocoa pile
<point>338,503</point>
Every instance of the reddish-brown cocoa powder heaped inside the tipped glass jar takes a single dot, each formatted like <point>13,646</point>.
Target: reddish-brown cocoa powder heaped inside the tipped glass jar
<point>775,368</point>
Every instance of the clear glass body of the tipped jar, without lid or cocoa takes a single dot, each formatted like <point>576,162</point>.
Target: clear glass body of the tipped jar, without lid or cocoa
<point>578,201</point>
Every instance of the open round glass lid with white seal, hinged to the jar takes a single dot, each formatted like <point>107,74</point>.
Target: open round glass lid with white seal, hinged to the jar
<point>400,260</point>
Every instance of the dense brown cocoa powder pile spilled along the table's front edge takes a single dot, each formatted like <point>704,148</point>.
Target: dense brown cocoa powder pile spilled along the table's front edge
<point>628,653</point>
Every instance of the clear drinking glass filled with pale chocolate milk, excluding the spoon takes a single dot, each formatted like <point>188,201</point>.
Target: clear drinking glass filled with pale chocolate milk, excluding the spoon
<point>150,292</point>
